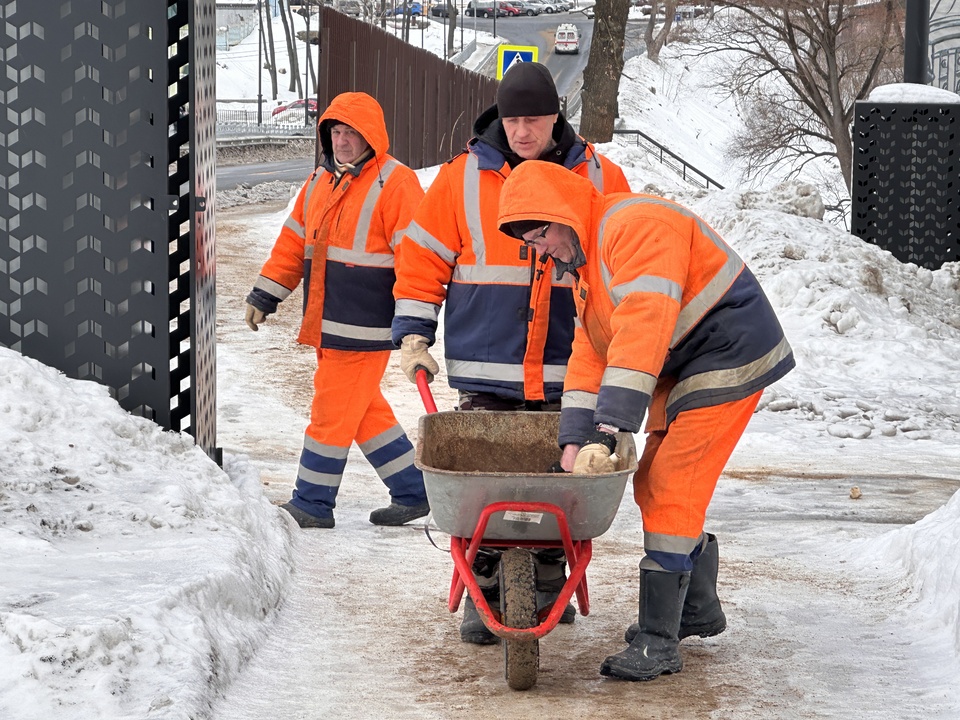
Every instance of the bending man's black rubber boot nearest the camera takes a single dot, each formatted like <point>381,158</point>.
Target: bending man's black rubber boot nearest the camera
<point>655,649</point>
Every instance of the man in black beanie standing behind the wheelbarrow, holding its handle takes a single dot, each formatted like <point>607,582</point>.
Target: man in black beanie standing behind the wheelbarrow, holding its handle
<point>509,320</point>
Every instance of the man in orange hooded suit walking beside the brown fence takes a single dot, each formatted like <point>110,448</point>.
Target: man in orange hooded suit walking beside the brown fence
<point>340,240</point>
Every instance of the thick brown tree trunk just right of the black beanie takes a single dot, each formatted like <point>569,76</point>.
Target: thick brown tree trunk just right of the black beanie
<point>601,77</point>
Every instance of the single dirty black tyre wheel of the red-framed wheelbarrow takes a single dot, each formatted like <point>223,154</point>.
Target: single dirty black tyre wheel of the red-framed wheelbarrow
<point>518,597</point>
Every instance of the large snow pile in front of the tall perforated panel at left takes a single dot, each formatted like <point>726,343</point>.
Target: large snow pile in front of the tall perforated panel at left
<point>129,564</point>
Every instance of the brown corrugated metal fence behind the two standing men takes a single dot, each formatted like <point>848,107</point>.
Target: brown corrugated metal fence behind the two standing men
<point>429,103</point>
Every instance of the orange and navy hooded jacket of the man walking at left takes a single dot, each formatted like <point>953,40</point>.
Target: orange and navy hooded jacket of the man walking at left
<point>340,239</point>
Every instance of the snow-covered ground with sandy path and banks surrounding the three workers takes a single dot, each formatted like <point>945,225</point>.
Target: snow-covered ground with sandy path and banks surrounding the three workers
<point>140,580</point>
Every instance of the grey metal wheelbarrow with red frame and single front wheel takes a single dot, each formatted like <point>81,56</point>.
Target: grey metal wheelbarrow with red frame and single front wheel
<point>488,482</point>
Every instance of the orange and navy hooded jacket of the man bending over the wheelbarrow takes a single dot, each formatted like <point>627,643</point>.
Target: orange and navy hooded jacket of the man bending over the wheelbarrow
<point>670,317</point>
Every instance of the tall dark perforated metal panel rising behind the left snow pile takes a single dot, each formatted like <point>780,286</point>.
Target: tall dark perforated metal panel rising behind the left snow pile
<point>106,243</point>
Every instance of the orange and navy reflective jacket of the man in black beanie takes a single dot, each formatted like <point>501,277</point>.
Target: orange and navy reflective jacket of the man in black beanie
<point>508,322</point>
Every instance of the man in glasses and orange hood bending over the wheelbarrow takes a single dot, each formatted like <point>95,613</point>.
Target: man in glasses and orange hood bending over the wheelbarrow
<point>673,326</point>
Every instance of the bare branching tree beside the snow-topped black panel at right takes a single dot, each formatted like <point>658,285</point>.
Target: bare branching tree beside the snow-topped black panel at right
<point>798,67</point>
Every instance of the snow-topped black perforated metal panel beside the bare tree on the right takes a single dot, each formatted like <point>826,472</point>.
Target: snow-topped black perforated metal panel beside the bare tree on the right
<point>906,180</point>
